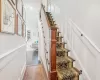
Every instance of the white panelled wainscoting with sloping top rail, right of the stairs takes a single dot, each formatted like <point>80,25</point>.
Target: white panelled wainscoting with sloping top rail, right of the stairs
<point>83,50</point>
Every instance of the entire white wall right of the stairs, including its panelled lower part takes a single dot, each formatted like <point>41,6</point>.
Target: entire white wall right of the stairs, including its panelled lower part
<point>76,17</point>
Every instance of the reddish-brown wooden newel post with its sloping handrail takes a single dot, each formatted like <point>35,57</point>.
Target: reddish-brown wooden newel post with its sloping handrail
<point>53,72</point>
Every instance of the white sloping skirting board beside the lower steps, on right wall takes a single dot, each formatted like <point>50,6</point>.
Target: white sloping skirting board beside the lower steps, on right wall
<point>84,73</point>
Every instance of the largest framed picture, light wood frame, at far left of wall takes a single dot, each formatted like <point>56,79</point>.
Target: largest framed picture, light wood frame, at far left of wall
<point>7,17</point>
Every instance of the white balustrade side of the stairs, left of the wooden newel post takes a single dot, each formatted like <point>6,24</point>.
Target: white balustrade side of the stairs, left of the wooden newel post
<point>44,43</point>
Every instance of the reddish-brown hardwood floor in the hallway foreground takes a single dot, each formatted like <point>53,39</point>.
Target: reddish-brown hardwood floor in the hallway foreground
<point>35,73</point>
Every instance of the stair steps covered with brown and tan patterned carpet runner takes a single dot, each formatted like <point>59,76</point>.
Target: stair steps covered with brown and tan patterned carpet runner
<point>64,63</point>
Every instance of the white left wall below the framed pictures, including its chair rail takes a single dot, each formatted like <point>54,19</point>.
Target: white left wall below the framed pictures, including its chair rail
<point>12,57</point>
